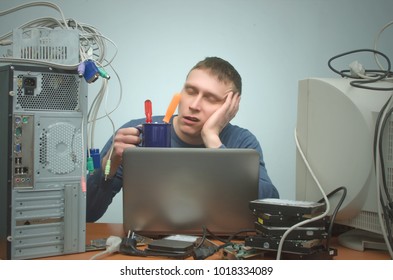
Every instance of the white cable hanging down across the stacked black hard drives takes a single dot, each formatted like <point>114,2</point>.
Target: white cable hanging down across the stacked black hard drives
<point>327,210</point>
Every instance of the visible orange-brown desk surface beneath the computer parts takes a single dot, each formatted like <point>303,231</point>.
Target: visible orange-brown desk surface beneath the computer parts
<point>104,230</point>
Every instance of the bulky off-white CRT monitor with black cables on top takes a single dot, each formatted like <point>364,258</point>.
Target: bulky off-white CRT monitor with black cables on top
<point>335,130</point>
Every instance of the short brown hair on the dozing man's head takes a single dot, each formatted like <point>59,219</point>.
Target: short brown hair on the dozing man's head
<point>222,69</point>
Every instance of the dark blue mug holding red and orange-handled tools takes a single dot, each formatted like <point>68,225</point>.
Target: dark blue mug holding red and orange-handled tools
<point>156,134</point>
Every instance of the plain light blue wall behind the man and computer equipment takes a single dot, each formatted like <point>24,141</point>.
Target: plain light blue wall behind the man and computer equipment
<point>273,44</point>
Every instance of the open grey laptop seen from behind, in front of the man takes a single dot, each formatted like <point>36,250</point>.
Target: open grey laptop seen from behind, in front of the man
<point>170,191</point>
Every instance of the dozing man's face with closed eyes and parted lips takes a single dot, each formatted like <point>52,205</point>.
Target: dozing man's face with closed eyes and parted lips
<point>201,96</point>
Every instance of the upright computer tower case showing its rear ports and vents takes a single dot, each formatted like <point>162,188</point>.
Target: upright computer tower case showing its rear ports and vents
<point>42,161</point>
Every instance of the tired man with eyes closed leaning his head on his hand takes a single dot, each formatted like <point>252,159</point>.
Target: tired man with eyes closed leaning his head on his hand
<point>209,101</point>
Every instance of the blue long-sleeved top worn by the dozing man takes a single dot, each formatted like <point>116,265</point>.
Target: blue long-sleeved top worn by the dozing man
<point>100,192</point>
